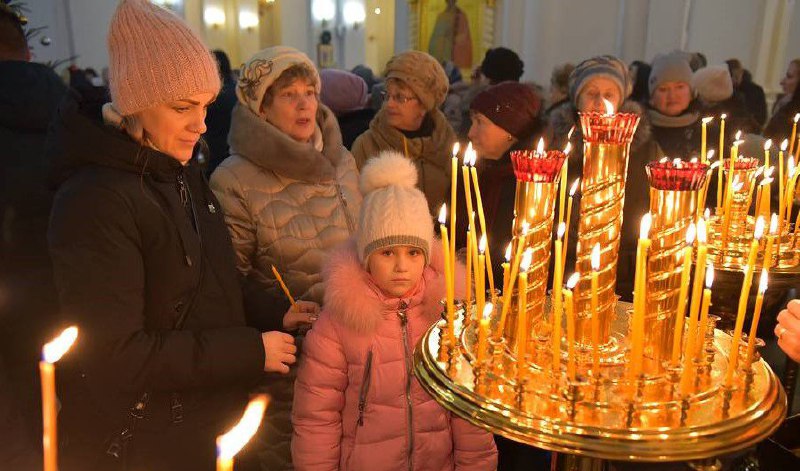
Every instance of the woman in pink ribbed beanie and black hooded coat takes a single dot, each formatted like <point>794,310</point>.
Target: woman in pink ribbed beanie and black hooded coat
<point>144,263</point>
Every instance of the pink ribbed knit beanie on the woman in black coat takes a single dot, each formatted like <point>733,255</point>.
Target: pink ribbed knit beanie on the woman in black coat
<point>154,58</point>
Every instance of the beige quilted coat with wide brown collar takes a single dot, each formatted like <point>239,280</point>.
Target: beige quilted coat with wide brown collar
<point>286,203</point>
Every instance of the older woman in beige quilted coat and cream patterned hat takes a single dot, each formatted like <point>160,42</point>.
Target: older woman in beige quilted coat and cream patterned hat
<point>290,194</point>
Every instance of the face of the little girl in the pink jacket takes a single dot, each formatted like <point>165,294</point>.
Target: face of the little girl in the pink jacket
<point>396,270</point>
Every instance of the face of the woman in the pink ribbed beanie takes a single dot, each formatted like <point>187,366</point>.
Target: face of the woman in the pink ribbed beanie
<point>175,127</point>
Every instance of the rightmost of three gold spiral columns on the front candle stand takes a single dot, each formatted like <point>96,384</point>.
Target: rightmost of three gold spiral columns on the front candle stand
<point>672,213</point>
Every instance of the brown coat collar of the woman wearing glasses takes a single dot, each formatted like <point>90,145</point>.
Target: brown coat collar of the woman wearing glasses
<point>435,148</point>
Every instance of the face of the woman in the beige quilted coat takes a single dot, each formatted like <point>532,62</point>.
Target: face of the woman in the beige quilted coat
<point>294,110</point>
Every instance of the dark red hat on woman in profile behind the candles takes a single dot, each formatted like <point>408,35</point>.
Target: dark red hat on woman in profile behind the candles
<point>513,106</point>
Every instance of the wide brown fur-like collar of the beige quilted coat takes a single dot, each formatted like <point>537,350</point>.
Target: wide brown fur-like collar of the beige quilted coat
<point>268,147</point>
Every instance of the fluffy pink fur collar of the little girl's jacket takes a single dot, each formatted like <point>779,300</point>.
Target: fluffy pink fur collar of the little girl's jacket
<point>353,299</point>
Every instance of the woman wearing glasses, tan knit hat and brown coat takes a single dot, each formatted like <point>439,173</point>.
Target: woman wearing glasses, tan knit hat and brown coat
<point>410,122</point>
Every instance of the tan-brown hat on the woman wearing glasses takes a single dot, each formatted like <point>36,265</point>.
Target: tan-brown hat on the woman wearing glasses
<point>423,74</point>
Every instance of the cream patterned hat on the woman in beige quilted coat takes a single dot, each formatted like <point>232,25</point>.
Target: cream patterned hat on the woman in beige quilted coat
<point>263,69</point>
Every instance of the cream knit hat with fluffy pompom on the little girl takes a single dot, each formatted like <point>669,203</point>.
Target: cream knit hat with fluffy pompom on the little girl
<point>394,212</point>
